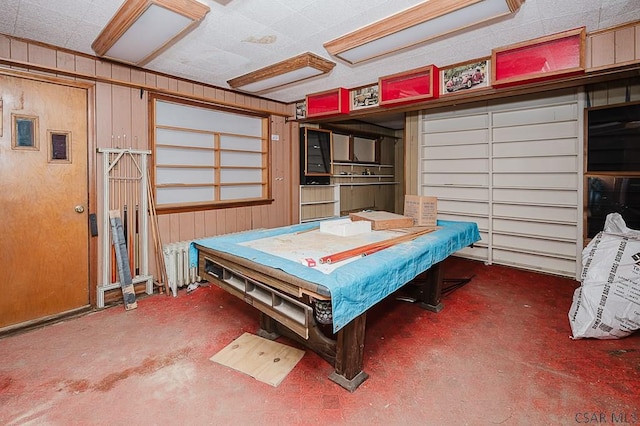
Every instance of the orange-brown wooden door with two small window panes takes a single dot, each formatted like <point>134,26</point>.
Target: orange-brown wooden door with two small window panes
<point>44,257</point>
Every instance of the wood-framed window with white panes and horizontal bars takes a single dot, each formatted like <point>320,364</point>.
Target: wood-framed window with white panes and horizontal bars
<point>206,156</point>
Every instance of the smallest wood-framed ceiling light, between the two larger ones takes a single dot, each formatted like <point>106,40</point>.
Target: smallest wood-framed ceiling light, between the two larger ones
<point>289,71</point>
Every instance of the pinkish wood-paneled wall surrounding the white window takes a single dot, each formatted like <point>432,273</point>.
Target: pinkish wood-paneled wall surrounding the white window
<point>119,118</point>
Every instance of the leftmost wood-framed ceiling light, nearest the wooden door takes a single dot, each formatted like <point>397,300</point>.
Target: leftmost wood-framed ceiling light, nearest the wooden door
<point>142,29</point>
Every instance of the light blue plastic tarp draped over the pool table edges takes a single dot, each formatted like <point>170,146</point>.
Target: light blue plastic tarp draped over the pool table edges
<point>358,285</point>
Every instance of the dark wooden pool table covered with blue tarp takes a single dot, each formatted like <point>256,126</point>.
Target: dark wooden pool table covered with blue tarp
<point>324,307</point>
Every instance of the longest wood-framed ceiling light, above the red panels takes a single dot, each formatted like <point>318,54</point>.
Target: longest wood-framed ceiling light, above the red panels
<point>425,21</point>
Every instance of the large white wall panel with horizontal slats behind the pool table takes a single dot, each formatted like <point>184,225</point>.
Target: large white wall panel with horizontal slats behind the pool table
<point>515,169</point>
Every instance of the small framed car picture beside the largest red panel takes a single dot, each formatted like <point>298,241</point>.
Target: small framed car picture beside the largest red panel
<point>466,76</point>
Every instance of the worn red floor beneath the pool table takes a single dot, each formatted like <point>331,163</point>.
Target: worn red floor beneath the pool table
<point>499,353</point>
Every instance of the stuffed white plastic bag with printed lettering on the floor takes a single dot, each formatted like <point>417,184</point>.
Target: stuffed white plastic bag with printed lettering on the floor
<point>607,304</point>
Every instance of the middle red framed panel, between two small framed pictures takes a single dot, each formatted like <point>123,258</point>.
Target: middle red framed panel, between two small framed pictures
<point>411,86</point>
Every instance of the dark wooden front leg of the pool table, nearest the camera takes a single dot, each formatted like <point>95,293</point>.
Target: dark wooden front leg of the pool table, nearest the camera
<point>350,355</point>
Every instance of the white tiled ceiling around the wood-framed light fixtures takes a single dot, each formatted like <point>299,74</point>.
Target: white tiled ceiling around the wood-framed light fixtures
<point>240,36</point>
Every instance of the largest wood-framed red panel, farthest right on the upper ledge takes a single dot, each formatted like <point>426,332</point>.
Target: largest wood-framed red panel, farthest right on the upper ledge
<point>544,58</point>
